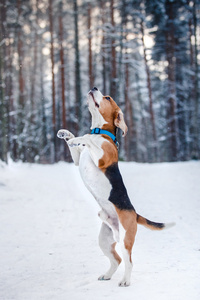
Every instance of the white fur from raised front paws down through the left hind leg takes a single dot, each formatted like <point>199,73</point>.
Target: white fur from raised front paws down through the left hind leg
<point>86,152</point>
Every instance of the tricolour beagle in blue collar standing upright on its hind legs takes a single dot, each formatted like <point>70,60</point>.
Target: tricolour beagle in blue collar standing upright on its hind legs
<point>96,154</point>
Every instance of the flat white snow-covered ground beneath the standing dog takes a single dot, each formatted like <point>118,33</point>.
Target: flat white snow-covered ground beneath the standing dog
<point>49,234</point>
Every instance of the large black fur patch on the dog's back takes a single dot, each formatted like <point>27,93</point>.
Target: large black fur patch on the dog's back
<point>118,194</point>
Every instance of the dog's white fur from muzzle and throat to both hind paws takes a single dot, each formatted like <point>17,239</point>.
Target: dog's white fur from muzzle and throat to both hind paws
<point>86,152</point>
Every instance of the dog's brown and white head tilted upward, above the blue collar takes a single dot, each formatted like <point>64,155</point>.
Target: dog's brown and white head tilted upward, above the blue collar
<point>106,114</point>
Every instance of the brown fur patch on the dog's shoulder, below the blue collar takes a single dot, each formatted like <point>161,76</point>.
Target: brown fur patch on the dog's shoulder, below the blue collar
<point>110,155</point>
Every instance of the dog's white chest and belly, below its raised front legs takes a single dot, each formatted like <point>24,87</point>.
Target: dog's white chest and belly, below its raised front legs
<point>94,179</point>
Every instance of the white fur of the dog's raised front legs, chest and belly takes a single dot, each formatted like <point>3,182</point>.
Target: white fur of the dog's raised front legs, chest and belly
<point>86,153</point>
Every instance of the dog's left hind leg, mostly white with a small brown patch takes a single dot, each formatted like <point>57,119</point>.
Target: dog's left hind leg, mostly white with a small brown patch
<point>107,245</point>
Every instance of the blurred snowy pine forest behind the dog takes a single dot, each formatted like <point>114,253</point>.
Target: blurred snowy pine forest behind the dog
<point>144,54</point>
